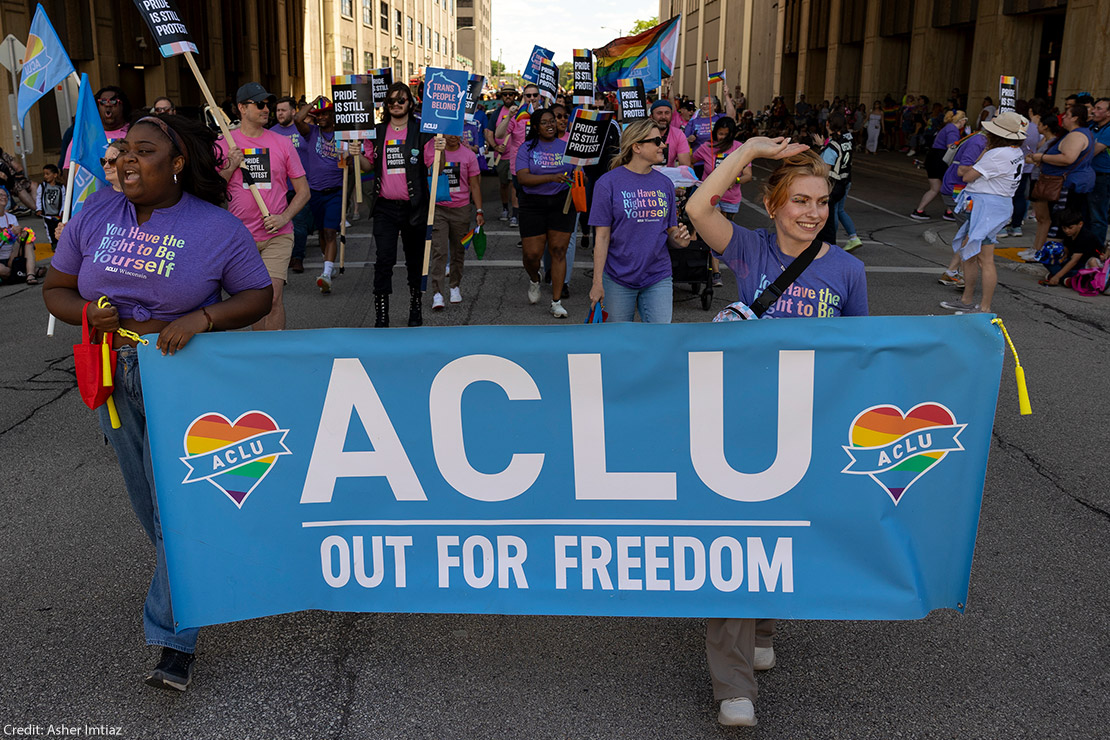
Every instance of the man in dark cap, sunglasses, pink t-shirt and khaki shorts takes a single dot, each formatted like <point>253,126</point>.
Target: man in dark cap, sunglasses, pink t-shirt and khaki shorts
<point>271,160</point>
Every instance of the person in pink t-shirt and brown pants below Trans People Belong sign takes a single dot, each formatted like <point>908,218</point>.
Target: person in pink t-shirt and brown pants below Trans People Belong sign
<point>460,166</point>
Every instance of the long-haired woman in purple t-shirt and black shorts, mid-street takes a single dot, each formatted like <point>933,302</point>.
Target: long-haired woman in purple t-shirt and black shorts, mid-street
<point>544,181</point>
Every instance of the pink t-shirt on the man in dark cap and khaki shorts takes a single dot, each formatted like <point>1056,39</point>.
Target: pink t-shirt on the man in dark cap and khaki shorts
<point>273,161</point>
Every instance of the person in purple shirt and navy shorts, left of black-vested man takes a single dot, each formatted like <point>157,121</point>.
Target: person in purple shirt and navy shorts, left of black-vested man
<point>326,179</point>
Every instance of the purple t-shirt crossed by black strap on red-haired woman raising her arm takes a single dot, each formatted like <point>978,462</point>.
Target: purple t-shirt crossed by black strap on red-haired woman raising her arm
<point>832,286</point>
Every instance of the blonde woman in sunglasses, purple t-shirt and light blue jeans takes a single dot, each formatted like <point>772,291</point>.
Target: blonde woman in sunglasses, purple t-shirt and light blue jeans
<point>632,267</point>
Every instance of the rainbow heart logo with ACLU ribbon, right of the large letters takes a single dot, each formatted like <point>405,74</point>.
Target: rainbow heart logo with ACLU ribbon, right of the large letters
<point>897,449</point>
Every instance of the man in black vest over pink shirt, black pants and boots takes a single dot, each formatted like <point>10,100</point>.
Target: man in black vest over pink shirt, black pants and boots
<point>399,204</point>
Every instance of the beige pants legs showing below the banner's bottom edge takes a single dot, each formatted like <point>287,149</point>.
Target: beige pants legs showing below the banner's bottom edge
<point>731,650</point>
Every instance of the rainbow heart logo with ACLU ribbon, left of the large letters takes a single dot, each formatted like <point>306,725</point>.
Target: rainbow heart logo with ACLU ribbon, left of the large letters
<point>234,457</point>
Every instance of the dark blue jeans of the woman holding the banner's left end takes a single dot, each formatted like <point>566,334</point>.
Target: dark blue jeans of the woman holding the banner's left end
<point>133,450</point>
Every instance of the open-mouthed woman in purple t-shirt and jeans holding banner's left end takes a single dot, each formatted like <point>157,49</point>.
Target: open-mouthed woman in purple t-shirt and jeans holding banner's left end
<point>173,196</point>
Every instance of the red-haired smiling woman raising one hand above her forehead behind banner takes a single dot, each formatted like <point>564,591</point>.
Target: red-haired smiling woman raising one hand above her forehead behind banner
<point>796,198</point>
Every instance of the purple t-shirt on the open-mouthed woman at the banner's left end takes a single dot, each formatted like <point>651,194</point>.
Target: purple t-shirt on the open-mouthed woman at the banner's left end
<point>174,265</point>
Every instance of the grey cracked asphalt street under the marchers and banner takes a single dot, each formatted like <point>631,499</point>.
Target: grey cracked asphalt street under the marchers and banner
<point>1028,660</point>
